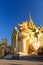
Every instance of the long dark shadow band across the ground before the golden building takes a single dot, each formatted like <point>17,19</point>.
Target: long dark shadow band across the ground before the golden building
<point>28,58</point>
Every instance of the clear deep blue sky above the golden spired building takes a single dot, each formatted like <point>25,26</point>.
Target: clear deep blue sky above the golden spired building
<point>13,12</point>
